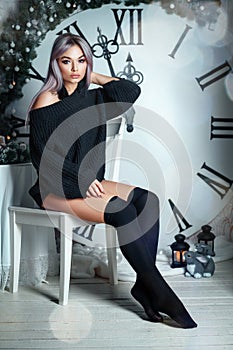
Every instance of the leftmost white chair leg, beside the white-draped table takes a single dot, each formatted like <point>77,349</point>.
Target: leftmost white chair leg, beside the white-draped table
<point>15,239</point>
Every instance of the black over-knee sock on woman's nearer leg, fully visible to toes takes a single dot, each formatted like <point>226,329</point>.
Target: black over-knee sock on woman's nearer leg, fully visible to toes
<point>123,217</point>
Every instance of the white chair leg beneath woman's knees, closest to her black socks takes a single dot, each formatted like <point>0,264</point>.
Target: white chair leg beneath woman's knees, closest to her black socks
<point>111,252</point>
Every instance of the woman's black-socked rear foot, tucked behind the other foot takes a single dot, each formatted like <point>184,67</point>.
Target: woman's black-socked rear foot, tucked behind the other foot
<point>139,294</point>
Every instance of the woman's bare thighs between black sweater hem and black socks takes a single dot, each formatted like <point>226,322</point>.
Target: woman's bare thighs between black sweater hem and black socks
<point>89,209</point>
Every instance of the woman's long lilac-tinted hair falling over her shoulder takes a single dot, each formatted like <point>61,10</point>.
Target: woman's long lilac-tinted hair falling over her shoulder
<point>54,80</point>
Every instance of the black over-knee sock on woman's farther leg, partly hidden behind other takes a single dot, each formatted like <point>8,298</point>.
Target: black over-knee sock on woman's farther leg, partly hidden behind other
<point>147,207</point>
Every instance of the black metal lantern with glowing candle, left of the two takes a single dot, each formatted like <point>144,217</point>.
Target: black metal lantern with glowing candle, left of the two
<point>179,248</point>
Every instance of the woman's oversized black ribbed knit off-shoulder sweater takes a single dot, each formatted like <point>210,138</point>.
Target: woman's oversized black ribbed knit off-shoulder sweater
<point>67,138</point>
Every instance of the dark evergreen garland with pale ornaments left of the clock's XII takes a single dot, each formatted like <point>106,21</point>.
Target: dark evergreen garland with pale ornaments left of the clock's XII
<point>22,33</point>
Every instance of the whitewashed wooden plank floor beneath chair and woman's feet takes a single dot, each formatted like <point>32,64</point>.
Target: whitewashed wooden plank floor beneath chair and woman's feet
<point>100,316</point>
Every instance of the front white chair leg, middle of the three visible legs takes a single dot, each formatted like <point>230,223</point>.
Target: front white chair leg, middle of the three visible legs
<point>65,259</point>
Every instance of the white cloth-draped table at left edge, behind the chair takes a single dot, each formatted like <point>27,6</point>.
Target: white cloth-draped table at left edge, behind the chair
<point>15,180</point>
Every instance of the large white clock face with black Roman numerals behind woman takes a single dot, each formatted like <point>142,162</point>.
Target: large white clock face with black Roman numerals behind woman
<point>182,140</point>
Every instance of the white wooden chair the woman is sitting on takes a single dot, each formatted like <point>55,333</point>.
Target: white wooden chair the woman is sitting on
<point>65,223</point>
